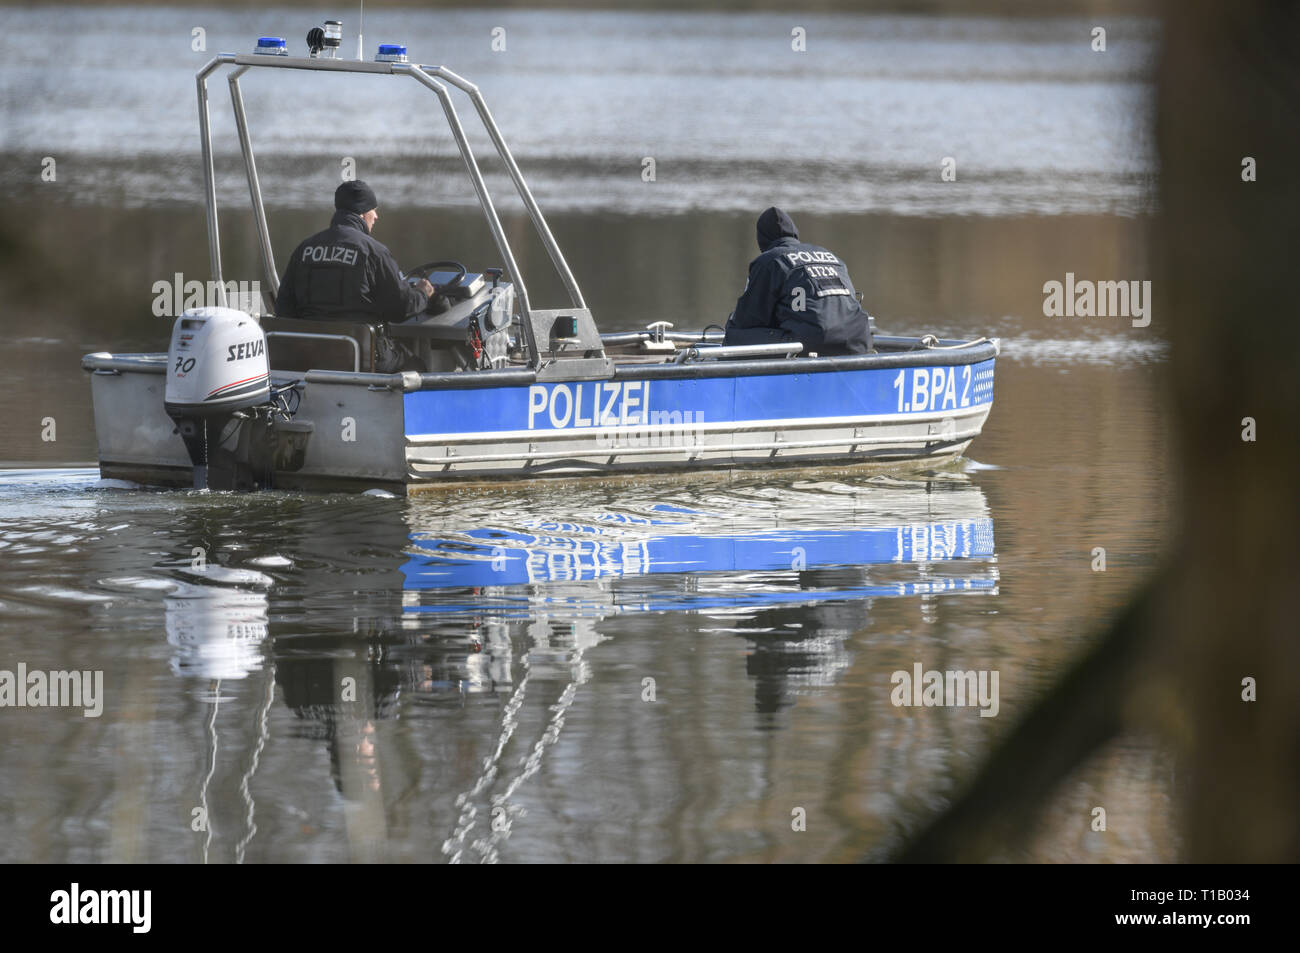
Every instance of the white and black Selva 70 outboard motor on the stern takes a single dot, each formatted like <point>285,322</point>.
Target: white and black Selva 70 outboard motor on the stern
<point>219,395</point>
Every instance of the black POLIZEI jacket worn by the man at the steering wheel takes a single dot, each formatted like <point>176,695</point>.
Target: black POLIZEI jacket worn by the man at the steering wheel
<point>344,274</point>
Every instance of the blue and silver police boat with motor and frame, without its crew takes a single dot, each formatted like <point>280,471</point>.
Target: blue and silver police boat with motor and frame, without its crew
<point>245,400</point>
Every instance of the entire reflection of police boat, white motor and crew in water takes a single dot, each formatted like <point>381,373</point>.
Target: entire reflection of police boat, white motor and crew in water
<point>473,622</point>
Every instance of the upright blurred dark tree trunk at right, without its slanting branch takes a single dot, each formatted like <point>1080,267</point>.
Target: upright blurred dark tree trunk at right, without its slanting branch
<point>1230,90</point>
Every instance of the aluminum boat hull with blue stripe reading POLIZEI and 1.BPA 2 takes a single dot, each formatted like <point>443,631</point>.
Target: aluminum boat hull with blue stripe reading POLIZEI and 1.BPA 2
<point>408,432</point>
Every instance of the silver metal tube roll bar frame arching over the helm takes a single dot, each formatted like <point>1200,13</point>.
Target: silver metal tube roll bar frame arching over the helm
<point>426,76</point>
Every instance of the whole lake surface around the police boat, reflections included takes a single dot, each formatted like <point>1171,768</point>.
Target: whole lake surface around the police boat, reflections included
<point>496,646</point>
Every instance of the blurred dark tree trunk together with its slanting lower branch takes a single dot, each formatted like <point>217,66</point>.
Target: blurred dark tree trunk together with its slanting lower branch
<point>1224,607</point>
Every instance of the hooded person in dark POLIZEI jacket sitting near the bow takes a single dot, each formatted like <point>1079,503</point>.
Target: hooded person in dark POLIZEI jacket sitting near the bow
<point>798,292</point>
